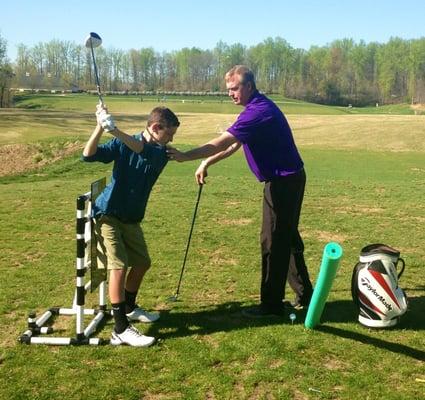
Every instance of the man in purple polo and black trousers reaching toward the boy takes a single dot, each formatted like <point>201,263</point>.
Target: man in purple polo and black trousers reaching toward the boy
<point>272,156</point>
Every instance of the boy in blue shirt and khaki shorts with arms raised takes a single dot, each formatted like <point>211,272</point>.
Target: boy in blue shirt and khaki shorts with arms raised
<point>119,209</point>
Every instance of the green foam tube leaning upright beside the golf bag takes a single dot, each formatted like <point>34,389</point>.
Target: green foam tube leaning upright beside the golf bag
<point>332,253</point>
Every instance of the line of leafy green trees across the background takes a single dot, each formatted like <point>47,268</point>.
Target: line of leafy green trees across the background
<point>340,73</point>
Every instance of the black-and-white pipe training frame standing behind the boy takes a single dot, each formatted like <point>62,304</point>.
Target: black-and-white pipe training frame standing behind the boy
<point>40,329</point>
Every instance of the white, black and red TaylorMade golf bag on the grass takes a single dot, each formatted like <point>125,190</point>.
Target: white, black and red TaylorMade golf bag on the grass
<point>374,286</point>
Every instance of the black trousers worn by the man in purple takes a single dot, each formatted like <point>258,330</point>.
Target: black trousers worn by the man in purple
<point>282,248</point>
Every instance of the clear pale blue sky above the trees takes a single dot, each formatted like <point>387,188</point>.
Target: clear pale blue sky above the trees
<point>173,24</point>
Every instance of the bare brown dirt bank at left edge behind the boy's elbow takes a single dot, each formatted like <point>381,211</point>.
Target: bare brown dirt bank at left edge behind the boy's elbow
<point>19,158</point>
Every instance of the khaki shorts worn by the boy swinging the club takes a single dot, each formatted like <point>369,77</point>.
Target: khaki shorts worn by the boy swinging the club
<point>120,245</point>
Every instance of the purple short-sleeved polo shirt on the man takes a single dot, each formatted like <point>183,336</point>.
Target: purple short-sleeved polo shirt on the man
<point>267,139</point>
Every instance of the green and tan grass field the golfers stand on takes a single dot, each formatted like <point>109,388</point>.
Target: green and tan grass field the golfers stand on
<point>366,177</point>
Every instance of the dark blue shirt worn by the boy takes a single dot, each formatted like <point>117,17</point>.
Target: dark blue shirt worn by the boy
<point>133,177</point>
